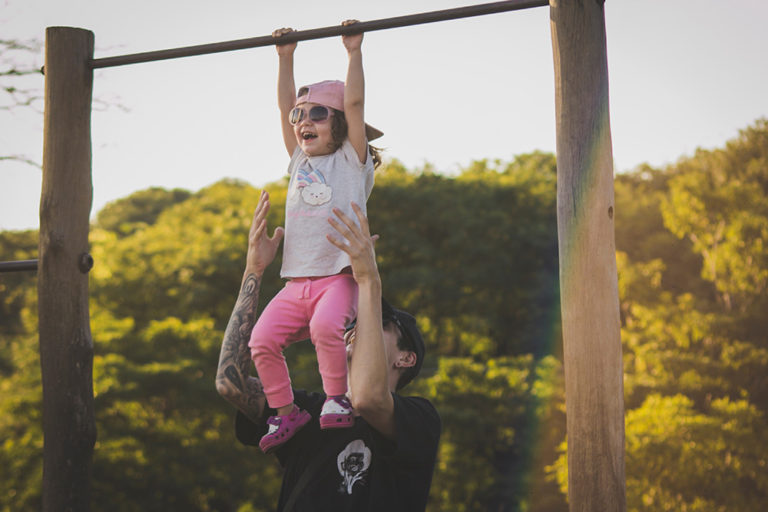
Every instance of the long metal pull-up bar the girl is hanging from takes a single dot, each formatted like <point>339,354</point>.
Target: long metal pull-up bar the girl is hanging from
<point>319,33</point>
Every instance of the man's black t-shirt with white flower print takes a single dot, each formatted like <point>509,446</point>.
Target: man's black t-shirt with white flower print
<point>365,471</point>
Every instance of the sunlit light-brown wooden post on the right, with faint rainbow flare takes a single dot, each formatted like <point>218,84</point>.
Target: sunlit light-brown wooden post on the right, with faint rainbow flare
<point>588,275</point>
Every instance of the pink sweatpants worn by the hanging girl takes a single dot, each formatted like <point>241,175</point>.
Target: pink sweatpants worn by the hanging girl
<point>315,308</point>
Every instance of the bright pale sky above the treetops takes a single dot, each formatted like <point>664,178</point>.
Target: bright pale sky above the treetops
<point>683,74</point>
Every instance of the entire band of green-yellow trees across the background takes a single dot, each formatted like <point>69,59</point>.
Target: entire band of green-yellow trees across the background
<point>475,256</point>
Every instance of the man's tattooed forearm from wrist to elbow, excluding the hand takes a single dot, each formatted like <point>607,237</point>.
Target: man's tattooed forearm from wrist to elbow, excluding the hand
<point>233,380</point>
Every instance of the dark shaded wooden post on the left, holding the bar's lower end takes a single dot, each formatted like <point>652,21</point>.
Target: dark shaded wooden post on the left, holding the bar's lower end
<point>66,348</point>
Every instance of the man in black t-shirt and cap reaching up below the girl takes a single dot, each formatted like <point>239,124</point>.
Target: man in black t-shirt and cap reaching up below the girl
<point>385,461</point>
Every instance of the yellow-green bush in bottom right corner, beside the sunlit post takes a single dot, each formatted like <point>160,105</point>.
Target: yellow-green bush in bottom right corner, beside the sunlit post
<point>686,459</point>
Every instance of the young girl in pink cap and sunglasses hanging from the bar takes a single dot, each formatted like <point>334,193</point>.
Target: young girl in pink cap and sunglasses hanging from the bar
<point>331,165</point>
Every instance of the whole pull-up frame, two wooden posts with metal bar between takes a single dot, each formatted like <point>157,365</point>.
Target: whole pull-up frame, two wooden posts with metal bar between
<point>588,280</point>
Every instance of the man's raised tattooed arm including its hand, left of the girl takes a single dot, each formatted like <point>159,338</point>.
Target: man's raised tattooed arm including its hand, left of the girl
<point>233,380</point>
